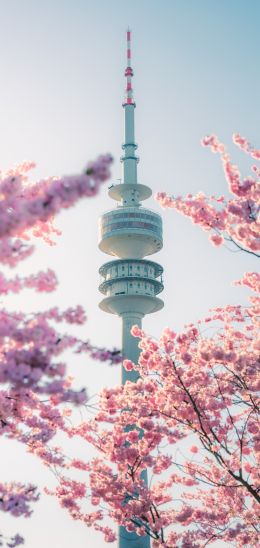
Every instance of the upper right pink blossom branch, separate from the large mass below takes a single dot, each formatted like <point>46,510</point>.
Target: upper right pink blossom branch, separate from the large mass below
<point>233,219</point>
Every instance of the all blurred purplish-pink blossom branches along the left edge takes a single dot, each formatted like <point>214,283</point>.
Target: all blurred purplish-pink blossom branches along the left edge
<point>30,344</point>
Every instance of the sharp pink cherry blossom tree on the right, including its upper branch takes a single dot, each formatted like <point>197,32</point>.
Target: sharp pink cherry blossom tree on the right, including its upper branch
<point>192,417</point>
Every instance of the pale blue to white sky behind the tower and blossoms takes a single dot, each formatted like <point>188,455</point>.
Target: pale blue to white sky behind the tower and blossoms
<point>62,85</point>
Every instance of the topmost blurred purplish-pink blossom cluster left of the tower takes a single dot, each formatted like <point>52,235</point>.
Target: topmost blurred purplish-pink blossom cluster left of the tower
<point>28,209</point>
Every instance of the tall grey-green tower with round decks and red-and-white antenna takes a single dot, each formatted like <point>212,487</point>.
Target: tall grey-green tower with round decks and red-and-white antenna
<point>130,284</point>
